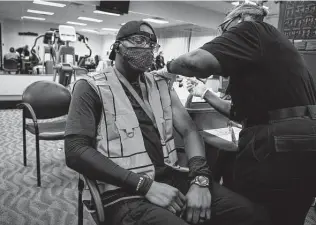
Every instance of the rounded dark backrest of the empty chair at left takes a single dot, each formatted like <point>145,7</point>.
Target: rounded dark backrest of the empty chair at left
<point>48,99</point>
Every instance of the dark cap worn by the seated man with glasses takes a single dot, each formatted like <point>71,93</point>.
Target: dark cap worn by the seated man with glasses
<point>132,28</point>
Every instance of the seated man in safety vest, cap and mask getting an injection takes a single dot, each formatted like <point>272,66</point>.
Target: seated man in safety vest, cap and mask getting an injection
<point>119,132</point>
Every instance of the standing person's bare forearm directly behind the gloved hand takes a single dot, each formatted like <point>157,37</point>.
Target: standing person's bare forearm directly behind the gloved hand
<point>222,106</point>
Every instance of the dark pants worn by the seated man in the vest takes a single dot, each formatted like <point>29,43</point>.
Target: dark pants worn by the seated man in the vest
<point>228,208</point>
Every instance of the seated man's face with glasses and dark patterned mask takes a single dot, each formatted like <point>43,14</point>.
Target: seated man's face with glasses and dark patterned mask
<point>141,56</point>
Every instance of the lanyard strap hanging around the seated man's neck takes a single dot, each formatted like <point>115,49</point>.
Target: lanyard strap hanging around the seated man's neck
<point>143,103</point>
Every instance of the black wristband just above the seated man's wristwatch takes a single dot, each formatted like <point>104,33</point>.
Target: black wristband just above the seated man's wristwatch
<point>198,167</point>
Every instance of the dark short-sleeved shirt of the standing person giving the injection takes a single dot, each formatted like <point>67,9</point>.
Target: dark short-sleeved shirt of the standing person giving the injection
<point>266,71</point>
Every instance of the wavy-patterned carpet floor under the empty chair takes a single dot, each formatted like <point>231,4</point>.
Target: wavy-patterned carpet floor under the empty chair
<point>55,203</point>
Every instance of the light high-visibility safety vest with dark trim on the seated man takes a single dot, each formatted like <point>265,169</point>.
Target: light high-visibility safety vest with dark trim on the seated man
<point>119,136</point>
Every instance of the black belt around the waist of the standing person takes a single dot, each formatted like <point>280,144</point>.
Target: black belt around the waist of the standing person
<point>285,113</point>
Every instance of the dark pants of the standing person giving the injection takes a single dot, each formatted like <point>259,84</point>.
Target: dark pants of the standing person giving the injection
<point>275,167</point>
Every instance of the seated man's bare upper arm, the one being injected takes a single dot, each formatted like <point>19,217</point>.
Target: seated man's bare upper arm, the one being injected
<point>182,121</point>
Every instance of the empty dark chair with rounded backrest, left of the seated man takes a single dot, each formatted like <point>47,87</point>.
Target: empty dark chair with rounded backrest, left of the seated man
<point>44,100</point>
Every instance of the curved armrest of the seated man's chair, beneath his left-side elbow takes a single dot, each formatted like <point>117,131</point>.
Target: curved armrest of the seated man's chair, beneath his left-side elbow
<point>95,193</point>
